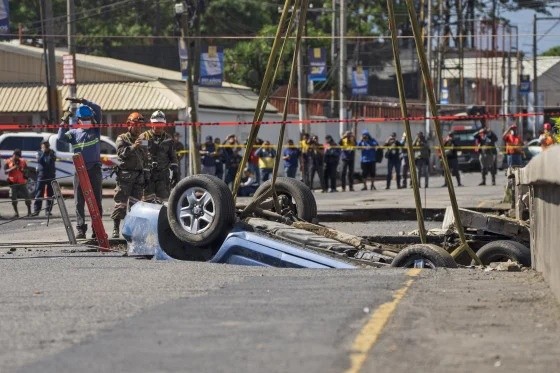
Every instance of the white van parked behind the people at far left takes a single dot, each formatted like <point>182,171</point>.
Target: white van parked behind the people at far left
<point>30,144</point>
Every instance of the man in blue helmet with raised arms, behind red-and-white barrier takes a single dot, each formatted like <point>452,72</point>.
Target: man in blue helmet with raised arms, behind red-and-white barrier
<point>84,139</point>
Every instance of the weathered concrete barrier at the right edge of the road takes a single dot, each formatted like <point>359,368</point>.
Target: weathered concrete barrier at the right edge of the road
<point>542,176</point>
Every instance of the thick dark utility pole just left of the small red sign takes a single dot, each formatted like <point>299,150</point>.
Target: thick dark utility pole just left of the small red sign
<point>48,27</point>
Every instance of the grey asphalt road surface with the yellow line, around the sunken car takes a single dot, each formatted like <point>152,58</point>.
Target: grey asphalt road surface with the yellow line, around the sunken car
<point>66,309</point>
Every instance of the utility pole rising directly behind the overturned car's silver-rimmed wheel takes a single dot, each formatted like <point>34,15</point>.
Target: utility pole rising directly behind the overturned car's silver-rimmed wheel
<point>188,16</point>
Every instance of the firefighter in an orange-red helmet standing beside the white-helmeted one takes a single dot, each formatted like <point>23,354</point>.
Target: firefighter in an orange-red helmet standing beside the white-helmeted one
<point>132,172</point>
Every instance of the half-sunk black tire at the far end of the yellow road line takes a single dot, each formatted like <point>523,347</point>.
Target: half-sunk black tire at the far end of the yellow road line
<point>433,256</point>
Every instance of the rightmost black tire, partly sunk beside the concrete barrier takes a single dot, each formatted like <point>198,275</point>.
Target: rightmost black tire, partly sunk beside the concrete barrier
<point>502,250</point>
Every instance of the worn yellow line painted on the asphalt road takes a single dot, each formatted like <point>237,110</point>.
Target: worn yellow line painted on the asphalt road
<point>372,329</point>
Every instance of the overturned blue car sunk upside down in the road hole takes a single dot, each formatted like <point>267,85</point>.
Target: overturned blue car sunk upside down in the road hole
<point>201,222</point>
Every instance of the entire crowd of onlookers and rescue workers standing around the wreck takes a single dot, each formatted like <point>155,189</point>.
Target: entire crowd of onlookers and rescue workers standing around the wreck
<point>149,161</point>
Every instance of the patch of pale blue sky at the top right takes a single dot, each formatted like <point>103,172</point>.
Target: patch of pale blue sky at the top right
<point>524,21</point>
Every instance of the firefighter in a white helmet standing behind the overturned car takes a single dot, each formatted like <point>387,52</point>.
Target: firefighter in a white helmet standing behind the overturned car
<point>163,159</point>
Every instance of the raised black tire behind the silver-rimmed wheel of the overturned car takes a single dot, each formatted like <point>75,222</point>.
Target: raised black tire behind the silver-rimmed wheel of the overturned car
<point>300,199</point>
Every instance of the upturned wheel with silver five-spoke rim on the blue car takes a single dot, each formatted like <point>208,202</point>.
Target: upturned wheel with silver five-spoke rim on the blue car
<point>201,210</point>
